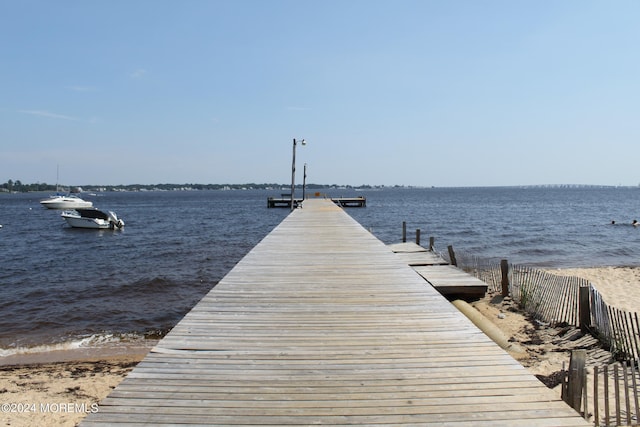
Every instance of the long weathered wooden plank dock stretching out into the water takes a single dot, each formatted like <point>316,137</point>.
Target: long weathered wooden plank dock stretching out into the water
<point>322,324</point>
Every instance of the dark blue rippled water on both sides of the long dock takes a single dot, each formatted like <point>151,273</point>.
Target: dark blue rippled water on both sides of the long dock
<point>62,285</point>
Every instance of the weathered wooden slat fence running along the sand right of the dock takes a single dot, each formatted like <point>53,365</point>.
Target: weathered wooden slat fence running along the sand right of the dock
<point>613,397</point>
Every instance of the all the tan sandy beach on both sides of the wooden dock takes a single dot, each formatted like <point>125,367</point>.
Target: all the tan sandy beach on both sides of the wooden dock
<point>60,389</point>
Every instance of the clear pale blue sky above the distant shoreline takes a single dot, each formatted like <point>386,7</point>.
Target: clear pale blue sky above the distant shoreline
<point>443,93</point>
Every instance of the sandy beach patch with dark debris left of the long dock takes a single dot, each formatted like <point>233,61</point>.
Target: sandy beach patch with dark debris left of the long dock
<point>60,388</point>
